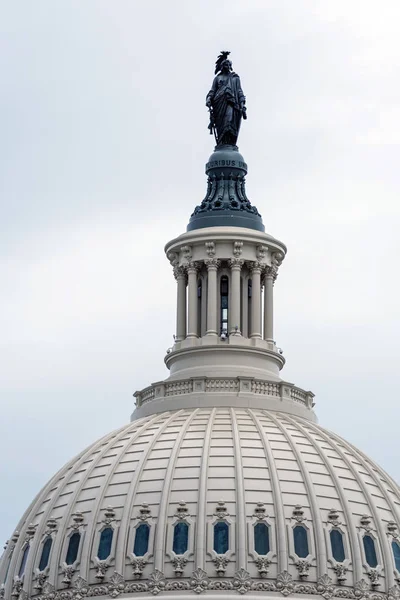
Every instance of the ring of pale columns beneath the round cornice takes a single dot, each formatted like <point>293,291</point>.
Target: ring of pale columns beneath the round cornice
<point>262,278</point>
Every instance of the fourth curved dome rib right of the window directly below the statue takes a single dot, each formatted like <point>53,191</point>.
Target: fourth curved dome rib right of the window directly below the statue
<point>355,553</point>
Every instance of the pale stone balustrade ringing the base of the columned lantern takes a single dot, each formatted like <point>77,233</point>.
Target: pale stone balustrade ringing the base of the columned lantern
<point>238,386</point>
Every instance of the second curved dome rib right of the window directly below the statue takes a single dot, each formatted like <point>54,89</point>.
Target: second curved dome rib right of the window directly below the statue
<point>283,559</point>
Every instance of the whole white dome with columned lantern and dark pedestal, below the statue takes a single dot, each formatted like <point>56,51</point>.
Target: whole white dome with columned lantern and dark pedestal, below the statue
<point>223,483</point>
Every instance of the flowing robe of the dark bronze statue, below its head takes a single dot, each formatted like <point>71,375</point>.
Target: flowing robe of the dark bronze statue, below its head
<point>227,98</point>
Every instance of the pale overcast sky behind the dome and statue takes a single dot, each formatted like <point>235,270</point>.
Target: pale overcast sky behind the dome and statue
<point>103,144</point>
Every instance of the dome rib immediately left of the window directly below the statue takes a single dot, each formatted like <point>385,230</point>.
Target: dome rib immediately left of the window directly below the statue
<point>201,546</point>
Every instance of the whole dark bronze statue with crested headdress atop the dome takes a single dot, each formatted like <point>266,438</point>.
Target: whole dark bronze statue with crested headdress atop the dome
<point>226,103</point>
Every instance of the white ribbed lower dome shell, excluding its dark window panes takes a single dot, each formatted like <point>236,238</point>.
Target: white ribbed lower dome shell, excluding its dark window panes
<point>201,466</point>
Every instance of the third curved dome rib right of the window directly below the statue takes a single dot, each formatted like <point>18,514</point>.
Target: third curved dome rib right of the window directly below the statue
<point>321,558</point>
